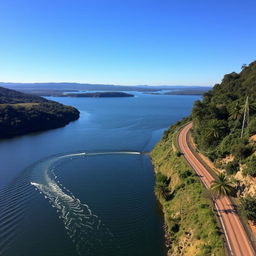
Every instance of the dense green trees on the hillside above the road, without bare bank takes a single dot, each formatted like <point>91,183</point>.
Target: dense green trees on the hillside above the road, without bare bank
<point>219,118</point>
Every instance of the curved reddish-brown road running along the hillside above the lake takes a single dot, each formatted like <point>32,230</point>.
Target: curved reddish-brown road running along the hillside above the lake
<point>238,241</point>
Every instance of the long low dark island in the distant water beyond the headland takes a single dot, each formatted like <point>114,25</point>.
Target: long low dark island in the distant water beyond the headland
<point>98,95</point>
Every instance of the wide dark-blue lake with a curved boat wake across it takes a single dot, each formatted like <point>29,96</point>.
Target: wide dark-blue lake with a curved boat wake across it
<point>87,188</point>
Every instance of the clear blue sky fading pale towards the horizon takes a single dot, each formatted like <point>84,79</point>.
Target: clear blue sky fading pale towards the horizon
<point>160,42</point>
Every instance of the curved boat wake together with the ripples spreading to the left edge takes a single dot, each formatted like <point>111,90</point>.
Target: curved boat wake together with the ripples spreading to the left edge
<point>86,230</point>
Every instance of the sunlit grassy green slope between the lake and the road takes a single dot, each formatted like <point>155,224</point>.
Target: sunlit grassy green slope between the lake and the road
<point>191,226</point>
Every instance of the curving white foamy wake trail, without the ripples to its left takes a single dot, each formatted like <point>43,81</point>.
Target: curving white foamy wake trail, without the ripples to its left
<point>84,228</point>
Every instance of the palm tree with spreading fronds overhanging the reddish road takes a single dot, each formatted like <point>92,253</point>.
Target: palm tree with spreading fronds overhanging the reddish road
<point>222,186</point>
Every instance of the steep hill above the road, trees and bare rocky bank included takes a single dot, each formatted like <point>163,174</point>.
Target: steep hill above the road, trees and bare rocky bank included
<point>224,129</point>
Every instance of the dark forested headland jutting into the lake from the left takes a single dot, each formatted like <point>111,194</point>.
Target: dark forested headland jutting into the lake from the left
<point>21,113</point>
